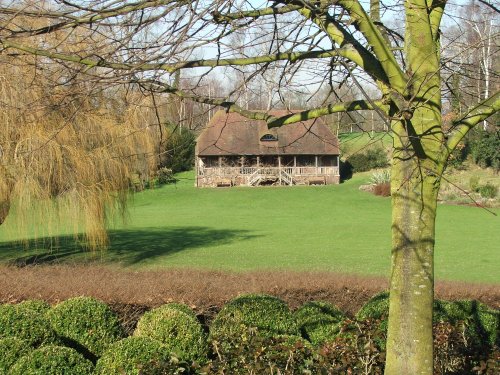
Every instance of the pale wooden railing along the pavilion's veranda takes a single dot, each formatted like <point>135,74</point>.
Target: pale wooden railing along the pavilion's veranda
<point>268,171</point>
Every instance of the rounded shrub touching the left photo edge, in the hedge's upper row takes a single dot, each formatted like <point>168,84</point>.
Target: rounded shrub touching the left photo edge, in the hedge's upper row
<point>25,324</point>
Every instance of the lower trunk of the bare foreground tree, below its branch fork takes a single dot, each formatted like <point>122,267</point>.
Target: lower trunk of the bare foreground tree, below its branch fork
<point>414,201</point>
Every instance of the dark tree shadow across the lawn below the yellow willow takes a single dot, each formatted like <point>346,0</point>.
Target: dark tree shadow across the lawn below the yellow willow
<point>127,247</point>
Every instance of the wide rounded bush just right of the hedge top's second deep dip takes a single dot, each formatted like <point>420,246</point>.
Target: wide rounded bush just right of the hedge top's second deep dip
<point>267,315</point>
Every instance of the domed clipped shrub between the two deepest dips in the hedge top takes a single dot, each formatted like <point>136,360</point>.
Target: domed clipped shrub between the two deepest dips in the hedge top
<point>180,333</point>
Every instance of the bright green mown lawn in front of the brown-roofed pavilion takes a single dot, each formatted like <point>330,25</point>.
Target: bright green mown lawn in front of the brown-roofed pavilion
<point>323,228</point>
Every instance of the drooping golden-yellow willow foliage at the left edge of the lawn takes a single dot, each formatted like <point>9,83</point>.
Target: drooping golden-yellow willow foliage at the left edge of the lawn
<point>75,158</point>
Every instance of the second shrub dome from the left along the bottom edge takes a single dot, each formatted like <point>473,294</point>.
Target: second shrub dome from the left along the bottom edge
<point>52,360</point>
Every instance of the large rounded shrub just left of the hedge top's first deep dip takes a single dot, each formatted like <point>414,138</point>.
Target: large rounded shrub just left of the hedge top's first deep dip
<point>86,324</point>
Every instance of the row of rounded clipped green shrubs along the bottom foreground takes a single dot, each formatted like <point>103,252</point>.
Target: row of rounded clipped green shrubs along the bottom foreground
<point>251,334</point>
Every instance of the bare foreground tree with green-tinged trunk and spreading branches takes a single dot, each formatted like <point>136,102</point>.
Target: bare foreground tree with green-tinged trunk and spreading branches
<point>313,43</point>
